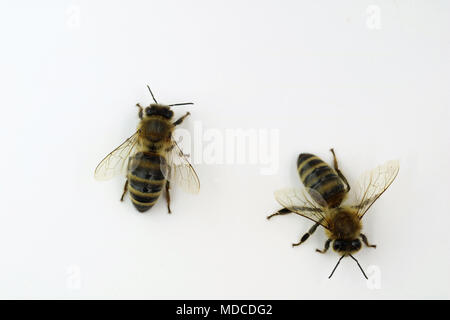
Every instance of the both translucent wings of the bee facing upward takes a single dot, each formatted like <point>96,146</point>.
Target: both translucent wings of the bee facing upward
<point>180,171</point>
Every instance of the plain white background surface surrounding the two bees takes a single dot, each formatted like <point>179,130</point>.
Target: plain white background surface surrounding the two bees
<point>369,78</point>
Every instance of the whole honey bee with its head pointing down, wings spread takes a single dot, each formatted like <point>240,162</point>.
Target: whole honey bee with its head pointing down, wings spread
<point>324,201</point>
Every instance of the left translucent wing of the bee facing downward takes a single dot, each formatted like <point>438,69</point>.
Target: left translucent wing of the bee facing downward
<point>301,202</point>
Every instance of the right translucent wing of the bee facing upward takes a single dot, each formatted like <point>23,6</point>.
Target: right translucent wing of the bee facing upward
<point>180,171</point>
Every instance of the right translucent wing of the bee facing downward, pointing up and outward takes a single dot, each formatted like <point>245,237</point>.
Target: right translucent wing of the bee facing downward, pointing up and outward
<point>373,183</point>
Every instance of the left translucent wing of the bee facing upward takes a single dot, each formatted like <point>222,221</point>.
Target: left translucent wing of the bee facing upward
<point>114,162</point>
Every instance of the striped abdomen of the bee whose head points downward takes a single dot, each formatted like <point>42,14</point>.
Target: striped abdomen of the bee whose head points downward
<point>319,176</point>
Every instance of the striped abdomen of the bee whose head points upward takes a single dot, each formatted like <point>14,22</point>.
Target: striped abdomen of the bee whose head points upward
<point>146,179</point>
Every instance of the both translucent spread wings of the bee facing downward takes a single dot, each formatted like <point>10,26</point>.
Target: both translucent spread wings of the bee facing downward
<point>370,187</point>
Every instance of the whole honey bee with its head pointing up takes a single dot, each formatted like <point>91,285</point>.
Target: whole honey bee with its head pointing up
<point>151,158</point>
